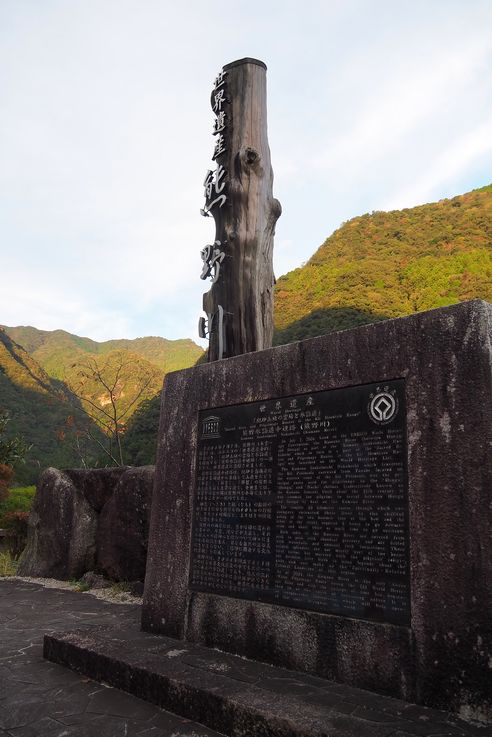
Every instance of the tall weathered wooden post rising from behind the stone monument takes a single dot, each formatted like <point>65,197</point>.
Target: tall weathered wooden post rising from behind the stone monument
<point>246,224</point>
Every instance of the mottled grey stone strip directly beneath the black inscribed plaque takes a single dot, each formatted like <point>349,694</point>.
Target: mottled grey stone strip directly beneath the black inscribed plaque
<point>371,655</point>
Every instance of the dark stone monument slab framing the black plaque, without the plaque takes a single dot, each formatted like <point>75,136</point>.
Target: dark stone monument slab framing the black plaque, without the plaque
<point>443,659</point>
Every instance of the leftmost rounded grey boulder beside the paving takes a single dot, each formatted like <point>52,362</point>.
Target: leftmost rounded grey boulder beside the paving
<point>61,540</point>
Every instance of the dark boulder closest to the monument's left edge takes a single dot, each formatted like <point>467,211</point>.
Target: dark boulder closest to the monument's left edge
<point>124,526</point>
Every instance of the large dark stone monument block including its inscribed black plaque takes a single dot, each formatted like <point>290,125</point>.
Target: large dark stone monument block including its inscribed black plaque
<point>415,624</point>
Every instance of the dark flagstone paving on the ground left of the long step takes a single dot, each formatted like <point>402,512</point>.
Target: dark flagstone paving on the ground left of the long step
<point>41,699</point>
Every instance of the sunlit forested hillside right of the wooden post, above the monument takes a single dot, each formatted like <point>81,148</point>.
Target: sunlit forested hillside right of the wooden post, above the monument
<point>390,264</point>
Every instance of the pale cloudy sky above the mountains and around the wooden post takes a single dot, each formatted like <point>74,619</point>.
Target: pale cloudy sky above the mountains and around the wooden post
<point>105,138</point>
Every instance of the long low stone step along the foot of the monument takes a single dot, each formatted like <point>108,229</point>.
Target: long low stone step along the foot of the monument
<point>239,697</point>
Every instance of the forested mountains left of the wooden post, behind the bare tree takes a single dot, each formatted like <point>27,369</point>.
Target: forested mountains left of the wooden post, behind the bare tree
<point>66,395</point>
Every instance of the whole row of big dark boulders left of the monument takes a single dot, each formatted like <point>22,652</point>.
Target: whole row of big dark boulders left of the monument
<point>86,520</point>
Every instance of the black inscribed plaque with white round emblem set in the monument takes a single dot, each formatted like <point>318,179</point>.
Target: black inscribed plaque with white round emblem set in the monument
<point>302,501</point>
